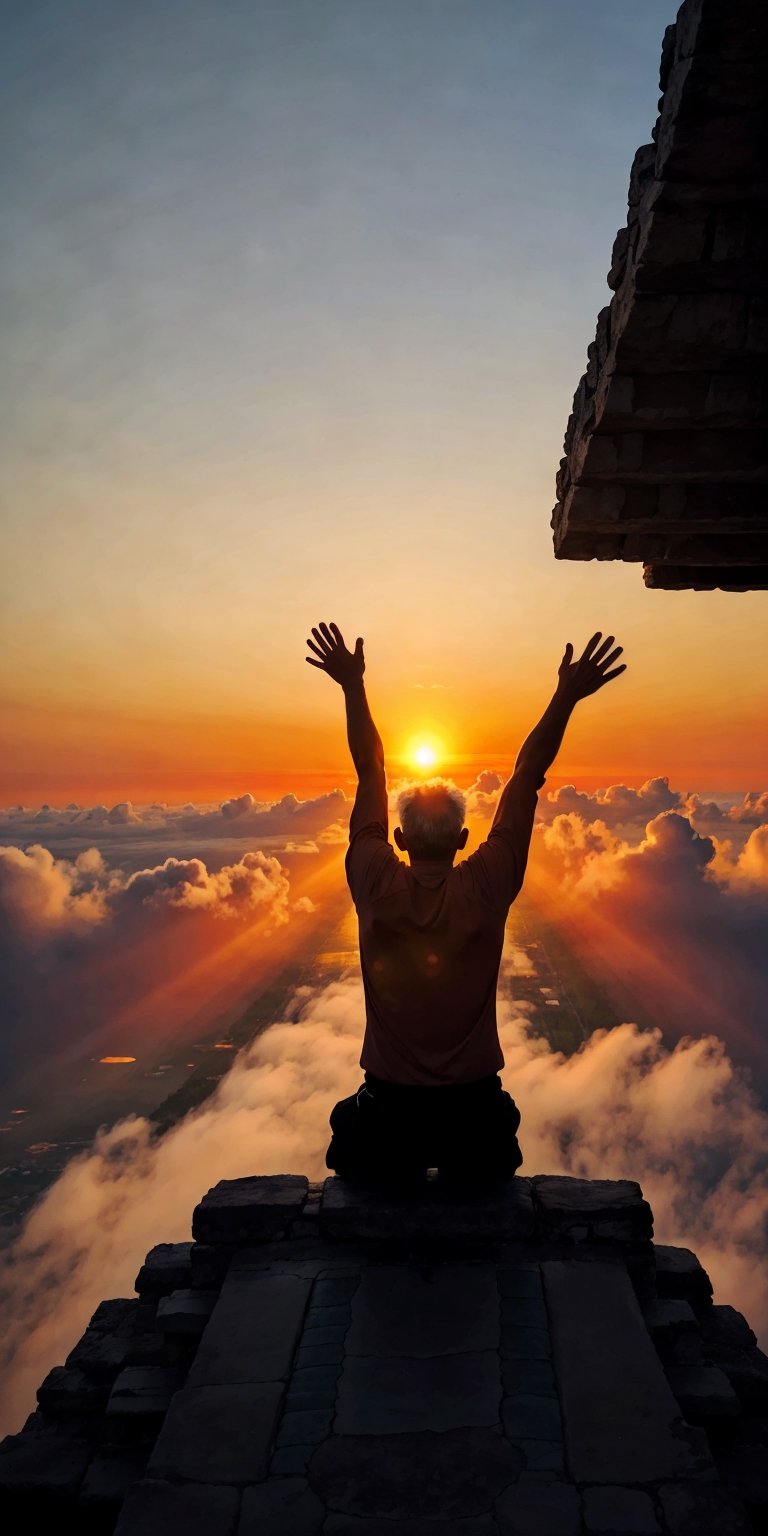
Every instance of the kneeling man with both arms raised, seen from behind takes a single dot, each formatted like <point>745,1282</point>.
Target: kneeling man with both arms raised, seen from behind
<point>431,941</point>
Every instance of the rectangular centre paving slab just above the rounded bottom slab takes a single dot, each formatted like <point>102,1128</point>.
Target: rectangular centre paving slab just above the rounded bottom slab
<point>396,1395</point>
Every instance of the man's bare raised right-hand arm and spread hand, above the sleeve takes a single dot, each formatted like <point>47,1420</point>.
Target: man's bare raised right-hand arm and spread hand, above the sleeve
<point>575,681</point>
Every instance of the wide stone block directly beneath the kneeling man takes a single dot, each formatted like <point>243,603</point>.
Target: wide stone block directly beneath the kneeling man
<point>348,1213</point>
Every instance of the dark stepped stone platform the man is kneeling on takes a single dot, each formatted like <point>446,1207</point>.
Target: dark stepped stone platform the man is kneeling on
<point>323,1362</point>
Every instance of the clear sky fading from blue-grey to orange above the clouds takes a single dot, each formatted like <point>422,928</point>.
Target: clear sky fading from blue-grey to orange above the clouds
<point>296,302</point>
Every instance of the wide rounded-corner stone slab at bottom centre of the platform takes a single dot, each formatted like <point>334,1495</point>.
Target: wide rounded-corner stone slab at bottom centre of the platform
<point>449,1477</point>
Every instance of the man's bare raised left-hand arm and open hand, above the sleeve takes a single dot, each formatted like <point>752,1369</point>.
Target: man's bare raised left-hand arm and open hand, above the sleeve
<point>365,741</point>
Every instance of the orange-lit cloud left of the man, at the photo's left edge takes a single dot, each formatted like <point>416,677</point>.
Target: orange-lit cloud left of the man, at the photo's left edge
<point>84,944</point>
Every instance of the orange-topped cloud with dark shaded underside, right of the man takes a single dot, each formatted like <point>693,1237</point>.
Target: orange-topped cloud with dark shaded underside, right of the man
<point>675,922</point>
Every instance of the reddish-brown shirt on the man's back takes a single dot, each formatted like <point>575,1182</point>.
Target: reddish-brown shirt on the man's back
<point>431,941</point>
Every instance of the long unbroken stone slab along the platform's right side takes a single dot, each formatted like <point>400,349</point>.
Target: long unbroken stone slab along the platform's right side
<point>623,1423</point>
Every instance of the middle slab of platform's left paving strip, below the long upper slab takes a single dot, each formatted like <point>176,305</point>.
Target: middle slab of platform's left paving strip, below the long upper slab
<point>220,1435</point>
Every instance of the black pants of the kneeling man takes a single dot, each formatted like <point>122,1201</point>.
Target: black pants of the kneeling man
<point>392,1134</point>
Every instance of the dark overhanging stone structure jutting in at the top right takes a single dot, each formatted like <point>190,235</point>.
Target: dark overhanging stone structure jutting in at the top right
<point>667,446</point>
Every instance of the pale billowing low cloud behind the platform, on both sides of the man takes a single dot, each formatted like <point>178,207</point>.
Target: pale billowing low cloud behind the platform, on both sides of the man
<point>683,1122</point>
